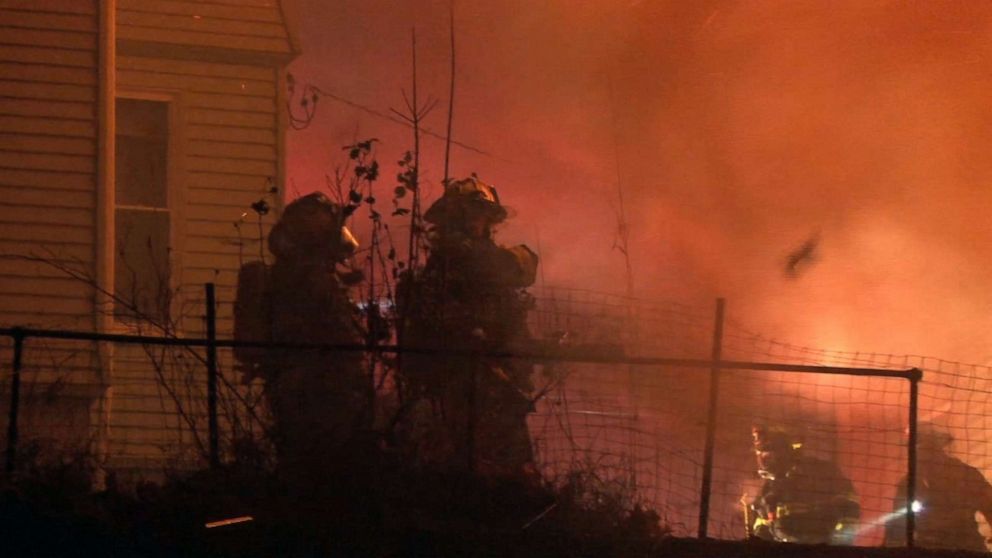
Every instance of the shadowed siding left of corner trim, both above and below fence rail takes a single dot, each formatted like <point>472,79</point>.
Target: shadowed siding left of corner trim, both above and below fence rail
<point>48,191</point>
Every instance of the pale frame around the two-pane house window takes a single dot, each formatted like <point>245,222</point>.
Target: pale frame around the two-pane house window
<point>174,202</point>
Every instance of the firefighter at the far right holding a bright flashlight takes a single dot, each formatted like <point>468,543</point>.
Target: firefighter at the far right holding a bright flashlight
<point>947,495</point>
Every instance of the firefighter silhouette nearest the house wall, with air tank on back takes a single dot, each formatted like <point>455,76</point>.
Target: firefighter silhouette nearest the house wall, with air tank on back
<point>316,397</point>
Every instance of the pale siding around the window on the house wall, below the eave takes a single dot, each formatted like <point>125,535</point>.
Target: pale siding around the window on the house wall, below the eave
<point>229,130</point>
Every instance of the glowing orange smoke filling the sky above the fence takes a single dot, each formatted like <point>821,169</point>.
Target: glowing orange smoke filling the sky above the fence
<point>737,130</point>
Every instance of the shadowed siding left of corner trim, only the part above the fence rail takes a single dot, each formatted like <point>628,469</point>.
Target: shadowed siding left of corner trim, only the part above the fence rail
<point>48,92</point>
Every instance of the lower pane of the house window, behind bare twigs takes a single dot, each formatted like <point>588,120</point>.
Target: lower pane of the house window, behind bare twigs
<point>141,267</point>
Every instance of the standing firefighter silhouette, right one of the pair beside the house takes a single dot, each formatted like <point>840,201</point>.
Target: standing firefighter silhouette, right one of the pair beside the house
<point>467,302</point>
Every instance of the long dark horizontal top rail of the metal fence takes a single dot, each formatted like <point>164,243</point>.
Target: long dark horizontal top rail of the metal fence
<point>566,354</point>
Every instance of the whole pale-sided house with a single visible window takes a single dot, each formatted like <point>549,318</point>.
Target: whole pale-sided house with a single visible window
<point>134,136</point>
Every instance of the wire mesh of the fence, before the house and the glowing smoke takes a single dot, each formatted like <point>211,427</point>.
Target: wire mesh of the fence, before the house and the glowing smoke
<point>653,403</point>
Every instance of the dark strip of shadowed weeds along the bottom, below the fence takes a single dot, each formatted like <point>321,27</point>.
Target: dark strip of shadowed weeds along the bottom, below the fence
<point>366,503</point>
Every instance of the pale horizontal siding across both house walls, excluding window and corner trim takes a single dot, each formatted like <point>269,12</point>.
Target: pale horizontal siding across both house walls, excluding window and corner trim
<point>219,63</point>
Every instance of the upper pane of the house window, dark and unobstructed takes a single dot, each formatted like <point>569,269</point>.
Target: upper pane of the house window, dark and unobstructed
<point>141,152</point>
